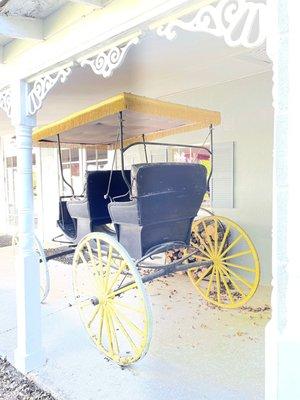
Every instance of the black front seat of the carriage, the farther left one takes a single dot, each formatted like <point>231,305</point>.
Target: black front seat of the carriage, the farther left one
<point>90,211</point>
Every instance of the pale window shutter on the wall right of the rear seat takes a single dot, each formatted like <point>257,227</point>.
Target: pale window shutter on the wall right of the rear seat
<point>222,179</point>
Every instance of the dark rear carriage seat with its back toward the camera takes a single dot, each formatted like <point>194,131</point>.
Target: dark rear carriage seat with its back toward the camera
<point>165,199</point>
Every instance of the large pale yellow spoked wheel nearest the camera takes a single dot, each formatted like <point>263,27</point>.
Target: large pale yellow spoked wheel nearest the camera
<point>112,300</point>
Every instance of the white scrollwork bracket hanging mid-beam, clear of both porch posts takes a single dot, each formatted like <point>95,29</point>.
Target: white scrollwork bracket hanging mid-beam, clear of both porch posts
<point>105,62</point>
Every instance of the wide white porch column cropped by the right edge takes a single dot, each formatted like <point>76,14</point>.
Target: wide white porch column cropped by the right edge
<point>283,332</point>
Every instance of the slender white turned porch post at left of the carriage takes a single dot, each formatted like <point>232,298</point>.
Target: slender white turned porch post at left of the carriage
<point>28,354</point>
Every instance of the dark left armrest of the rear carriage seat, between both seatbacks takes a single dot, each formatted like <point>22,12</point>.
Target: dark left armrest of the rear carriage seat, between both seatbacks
<point>123,212</point>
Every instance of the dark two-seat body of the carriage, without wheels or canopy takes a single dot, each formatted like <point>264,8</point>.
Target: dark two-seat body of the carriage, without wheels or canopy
<point>165,198</point>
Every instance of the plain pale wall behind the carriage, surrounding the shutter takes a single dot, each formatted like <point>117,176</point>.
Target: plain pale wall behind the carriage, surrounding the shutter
<point>247,120</point>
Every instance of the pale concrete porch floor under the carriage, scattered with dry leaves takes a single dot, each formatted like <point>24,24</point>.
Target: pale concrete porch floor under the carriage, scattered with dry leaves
<point>197,352</point>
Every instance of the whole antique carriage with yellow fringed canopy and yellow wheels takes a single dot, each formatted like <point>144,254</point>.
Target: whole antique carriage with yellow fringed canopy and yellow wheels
<point>153,208</point>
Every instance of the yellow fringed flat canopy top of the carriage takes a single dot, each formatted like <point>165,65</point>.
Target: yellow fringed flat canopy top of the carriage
<point>98,125</point>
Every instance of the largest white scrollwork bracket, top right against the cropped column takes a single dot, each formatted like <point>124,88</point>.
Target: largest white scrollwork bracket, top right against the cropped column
<point>234,20</point>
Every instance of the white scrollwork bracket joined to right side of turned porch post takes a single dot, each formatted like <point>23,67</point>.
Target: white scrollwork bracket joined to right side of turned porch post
<point>42,86</point>
